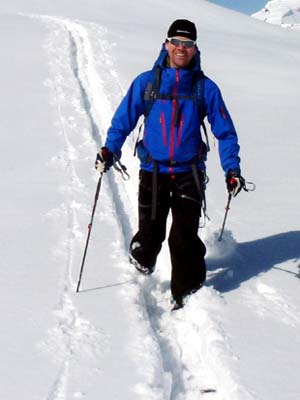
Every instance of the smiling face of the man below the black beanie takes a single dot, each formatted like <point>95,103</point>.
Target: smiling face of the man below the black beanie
<point>180,56</point>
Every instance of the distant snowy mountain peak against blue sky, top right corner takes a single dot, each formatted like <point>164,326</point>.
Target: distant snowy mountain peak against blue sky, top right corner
<point>281,12</point>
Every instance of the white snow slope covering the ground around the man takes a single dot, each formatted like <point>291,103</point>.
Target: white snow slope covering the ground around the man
<point>64,68</point>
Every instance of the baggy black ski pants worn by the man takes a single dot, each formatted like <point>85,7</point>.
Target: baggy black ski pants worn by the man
<point>179,194</point>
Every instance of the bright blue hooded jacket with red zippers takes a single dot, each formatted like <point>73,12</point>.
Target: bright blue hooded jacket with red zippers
<point>173,144</point>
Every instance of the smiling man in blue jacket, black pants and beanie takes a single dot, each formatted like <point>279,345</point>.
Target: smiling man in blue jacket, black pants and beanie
<point>172,154</point>
